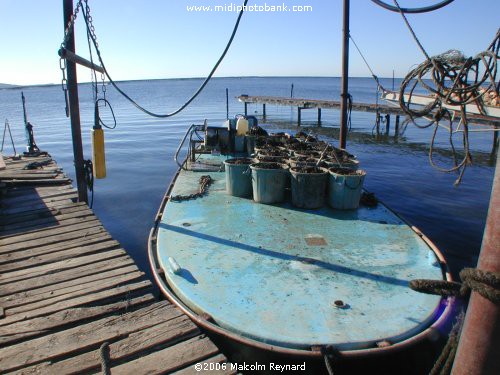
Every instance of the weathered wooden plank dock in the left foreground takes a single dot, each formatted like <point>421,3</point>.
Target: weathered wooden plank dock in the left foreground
<point>71,299</point>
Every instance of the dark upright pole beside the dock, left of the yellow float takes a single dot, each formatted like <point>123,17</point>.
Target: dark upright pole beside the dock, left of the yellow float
<point>74,106</point>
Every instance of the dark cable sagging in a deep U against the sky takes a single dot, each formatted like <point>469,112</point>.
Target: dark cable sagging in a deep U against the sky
<point>90,27</point>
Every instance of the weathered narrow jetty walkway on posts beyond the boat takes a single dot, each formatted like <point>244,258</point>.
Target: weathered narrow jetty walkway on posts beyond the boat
<point>333,104</point>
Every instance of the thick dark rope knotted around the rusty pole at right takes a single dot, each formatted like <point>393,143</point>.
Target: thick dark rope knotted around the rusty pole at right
<point>486,283</point>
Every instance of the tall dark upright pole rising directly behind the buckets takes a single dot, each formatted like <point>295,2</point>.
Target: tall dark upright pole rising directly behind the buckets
<point>345,77</point>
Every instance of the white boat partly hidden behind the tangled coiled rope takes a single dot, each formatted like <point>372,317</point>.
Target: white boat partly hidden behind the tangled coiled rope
<point>490,107</point>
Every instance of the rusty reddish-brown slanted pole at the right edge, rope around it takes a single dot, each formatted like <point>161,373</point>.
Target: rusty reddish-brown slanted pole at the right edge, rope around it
<point>477,351</point>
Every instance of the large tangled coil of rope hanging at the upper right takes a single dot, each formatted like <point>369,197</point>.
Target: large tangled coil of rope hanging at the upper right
<point>457,81</point>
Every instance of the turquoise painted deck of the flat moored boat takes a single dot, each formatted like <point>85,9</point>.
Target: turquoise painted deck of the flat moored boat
<point>295,278</point>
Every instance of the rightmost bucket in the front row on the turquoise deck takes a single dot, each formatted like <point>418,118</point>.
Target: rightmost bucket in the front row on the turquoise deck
<point>345,187</point>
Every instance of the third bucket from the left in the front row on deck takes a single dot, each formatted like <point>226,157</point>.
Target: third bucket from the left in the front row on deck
<point>308,186</point>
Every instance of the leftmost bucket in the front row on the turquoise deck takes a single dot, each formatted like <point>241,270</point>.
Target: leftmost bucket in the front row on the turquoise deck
<point>238,178</point>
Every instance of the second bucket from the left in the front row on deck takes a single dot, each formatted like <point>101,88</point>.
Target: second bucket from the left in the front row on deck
<point>269,181</point>
